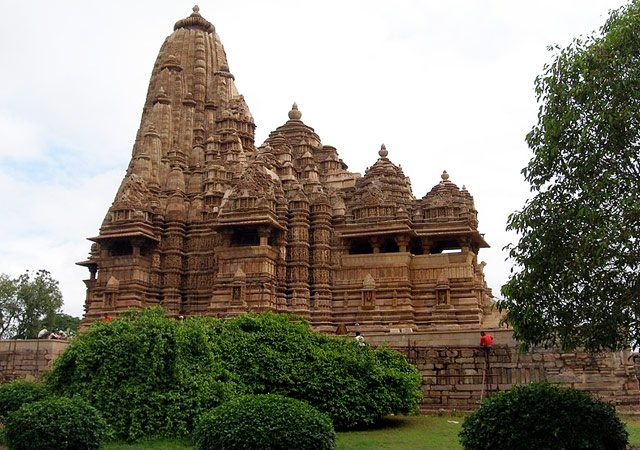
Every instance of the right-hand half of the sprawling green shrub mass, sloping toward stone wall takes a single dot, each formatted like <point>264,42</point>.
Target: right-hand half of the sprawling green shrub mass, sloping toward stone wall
<point>277,354</point>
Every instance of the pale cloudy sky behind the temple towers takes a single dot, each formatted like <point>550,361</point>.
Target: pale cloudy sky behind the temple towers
<point>444,84</point>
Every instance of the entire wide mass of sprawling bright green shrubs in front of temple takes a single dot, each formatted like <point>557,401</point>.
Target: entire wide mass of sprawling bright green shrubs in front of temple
<point>149,375</point>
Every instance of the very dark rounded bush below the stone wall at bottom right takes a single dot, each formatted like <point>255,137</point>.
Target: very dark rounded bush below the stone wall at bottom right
<point>541,417</point>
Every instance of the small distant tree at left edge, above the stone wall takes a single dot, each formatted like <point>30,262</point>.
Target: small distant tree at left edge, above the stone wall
<point>26,303</point>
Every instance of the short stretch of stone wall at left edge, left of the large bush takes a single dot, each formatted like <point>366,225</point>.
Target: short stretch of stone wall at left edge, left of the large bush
<point>28,358</point>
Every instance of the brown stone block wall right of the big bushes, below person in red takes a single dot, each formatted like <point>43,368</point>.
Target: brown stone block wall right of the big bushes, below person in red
<point>458,376</point>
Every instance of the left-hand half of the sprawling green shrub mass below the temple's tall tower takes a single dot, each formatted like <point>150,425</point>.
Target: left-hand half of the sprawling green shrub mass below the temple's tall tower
<point>148,375</point>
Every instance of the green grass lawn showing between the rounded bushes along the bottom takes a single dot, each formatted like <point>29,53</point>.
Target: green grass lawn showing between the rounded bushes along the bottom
<point>395,433</point>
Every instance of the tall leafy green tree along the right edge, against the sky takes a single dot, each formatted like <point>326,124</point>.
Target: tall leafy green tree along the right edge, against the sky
<point>577,263</point>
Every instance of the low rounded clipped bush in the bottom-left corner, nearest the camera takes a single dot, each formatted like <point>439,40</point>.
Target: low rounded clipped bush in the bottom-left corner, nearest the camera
<point>55,423</point>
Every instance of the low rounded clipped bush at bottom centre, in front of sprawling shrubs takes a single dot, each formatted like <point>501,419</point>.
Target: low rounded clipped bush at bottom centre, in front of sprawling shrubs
<point>265,422</point>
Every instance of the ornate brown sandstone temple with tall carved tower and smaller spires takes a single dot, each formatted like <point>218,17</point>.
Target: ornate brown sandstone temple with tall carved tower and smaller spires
<point>207,223</point>
